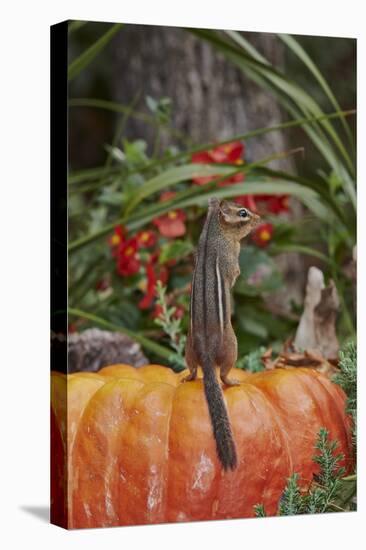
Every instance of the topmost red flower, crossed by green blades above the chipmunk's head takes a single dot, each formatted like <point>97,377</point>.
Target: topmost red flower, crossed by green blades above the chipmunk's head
<point>230,153</point>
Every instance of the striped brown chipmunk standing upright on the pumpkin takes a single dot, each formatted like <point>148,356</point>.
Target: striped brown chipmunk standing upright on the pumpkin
<point>211,339</point>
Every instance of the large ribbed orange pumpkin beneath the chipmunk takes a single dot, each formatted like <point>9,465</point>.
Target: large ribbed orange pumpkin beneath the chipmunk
<point>139,447</point>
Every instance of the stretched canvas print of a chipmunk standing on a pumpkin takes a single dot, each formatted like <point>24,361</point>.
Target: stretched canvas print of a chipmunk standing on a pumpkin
<point>203,353</point>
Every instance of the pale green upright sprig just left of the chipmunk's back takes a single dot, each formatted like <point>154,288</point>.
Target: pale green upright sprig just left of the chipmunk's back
<point>172,328</point>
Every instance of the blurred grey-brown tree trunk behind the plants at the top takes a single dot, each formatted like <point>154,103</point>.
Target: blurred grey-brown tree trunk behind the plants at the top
<point>211,98</point>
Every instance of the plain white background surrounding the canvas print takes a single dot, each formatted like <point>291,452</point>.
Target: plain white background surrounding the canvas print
<point>24,260</point>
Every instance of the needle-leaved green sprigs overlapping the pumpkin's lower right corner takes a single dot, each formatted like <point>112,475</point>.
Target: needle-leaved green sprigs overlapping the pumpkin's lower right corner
<point>326,492</point>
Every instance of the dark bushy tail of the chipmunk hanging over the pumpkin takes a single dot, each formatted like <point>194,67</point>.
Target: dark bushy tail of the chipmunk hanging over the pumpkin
<point>219,418</point>
